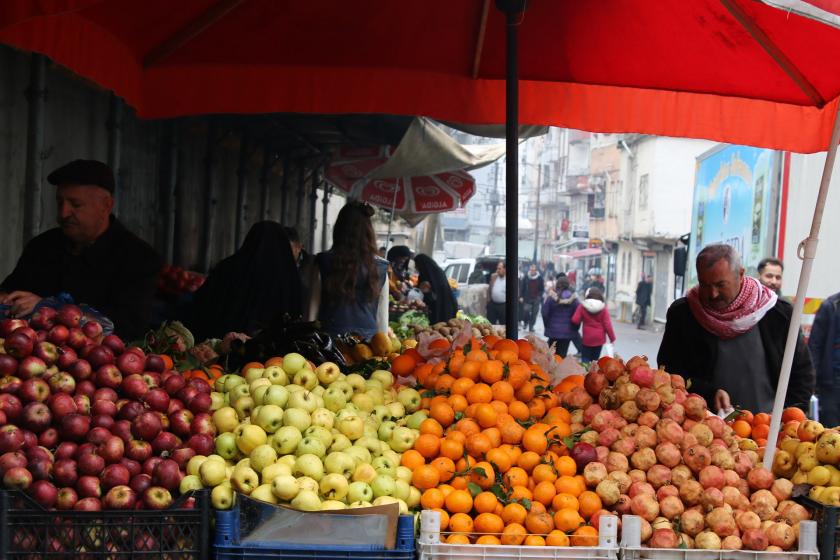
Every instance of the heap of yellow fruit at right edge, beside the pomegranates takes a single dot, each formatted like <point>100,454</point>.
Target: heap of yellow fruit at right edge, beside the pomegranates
<point>809,454</point>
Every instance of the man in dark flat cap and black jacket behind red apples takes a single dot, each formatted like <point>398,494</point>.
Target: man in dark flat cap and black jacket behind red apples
<point>90,255</point>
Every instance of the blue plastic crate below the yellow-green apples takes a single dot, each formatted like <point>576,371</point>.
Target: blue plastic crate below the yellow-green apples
<point>227,543</point>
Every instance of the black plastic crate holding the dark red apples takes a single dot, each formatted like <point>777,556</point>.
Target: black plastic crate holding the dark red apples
<point>28,531</point>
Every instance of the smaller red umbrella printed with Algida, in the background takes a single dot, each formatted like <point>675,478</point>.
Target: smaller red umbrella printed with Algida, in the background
<point>351,170</point>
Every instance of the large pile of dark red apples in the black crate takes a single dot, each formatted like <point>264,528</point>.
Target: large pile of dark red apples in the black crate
<point>87,424</point>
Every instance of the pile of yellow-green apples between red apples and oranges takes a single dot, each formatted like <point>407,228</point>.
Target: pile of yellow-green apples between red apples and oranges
<point>307,436</point>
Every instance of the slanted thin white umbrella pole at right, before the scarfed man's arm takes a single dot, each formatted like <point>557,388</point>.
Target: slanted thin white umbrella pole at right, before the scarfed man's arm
<point>807,250</point>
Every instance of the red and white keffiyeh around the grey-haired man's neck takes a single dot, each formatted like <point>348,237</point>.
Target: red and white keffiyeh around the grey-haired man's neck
<point>754,301</point>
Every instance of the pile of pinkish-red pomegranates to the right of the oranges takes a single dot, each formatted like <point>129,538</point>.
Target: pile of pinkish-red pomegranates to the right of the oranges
<point>651,448</point>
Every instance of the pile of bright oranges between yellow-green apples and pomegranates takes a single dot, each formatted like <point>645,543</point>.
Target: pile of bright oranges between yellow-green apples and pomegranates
<point>490,457</point>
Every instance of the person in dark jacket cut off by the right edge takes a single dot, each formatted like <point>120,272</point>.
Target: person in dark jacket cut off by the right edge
<point>824,344</point>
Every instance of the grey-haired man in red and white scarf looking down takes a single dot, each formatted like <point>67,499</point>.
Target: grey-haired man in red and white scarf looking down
<point>727,336</point>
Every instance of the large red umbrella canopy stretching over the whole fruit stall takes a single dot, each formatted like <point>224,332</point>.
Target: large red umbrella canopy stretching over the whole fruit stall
<point>732,70</point>
